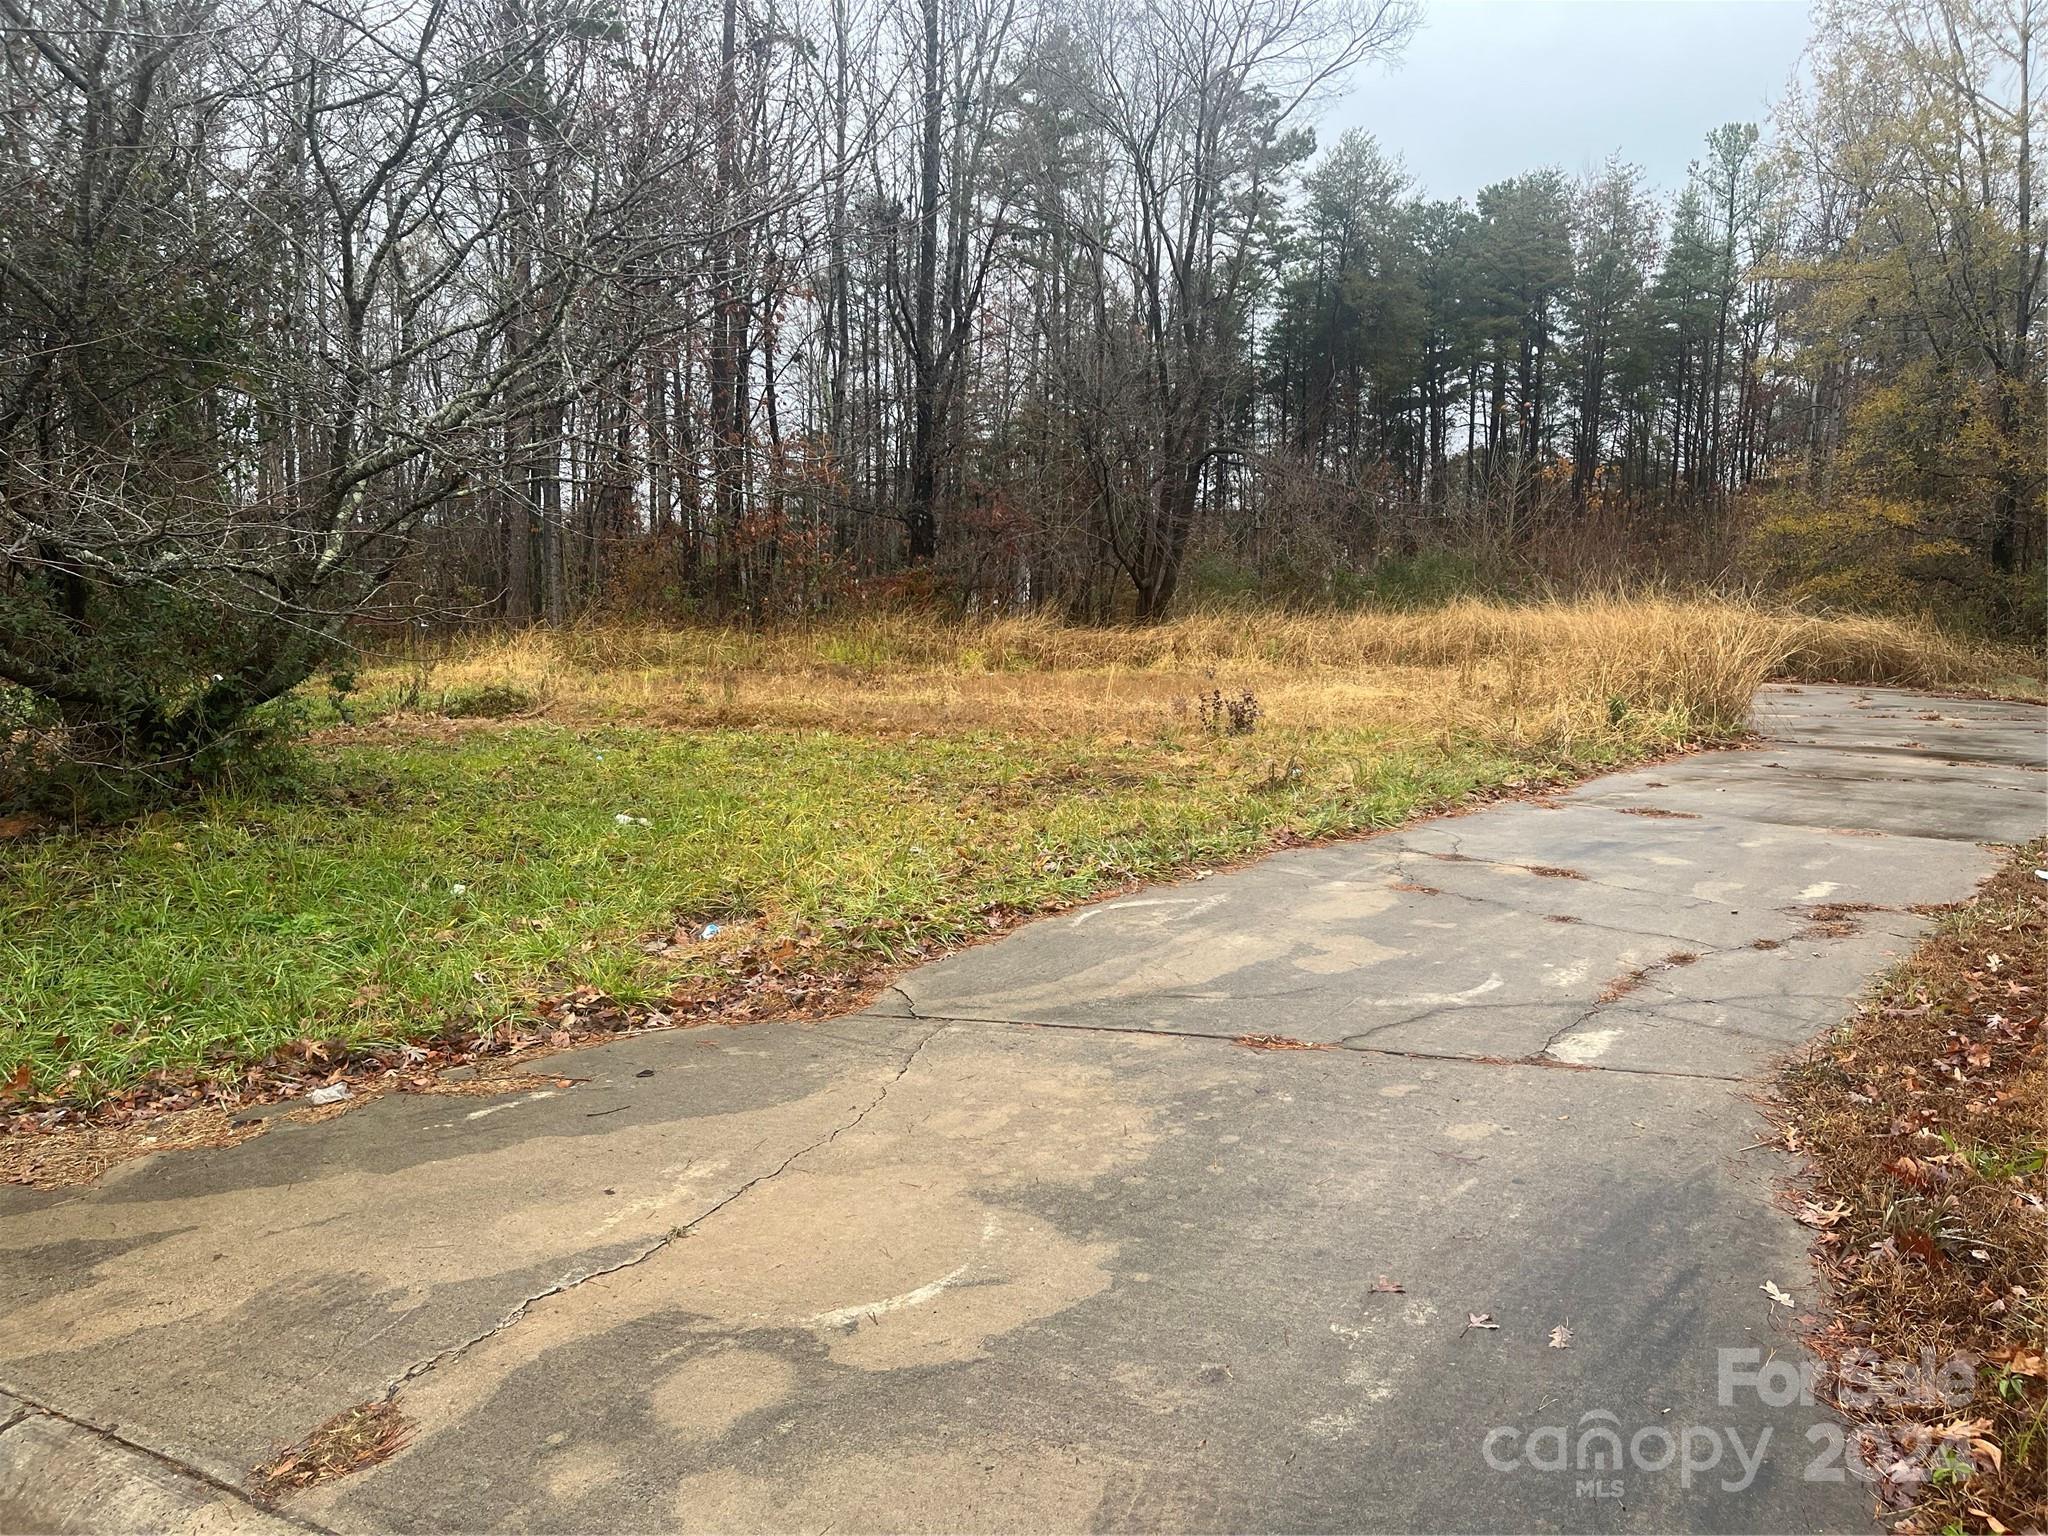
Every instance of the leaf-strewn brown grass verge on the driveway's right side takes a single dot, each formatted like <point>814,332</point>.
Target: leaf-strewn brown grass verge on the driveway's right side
<point>1926,1123</point>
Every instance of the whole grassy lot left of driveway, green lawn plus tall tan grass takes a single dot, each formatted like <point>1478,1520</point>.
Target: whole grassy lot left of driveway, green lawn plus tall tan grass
<point>443,888</point>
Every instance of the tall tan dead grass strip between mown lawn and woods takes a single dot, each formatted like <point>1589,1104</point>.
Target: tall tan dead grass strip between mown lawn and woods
<point>1533,675</point>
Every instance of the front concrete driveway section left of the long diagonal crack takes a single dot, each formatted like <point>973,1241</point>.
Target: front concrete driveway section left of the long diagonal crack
<point>269,1291</point>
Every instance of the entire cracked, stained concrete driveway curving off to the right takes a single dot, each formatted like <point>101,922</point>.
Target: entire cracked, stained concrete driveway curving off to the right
<point>1248,1203</point>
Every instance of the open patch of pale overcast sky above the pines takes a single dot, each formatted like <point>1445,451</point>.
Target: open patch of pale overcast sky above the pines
<point>1490,89</point>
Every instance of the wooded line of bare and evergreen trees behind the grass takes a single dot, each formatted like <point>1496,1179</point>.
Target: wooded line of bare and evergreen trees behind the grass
<point>519,308</point>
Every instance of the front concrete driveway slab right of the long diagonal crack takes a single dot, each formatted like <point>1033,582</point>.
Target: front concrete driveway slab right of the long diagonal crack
<point>1127,1281</point>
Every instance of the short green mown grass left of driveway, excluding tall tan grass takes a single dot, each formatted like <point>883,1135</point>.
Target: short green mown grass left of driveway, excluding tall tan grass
<point>417,882</point>
